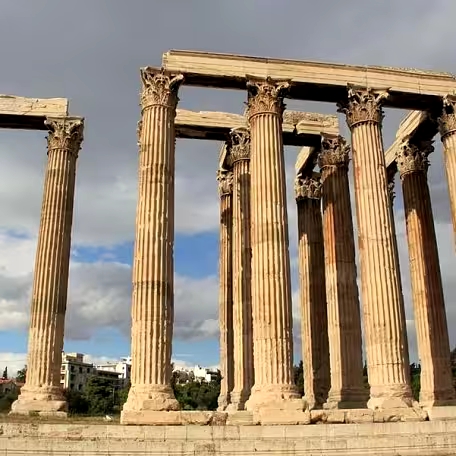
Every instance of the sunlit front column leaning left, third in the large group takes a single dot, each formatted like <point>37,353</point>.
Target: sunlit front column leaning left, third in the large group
<point>383,304</point>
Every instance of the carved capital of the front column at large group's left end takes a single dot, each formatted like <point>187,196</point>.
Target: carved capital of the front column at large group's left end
<point>159,88</point>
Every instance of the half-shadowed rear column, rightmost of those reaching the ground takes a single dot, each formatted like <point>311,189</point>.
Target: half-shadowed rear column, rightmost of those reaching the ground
<point>427,291</point>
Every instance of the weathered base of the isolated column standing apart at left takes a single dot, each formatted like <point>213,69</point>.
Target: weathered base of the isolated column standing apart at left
<point>43,401</point>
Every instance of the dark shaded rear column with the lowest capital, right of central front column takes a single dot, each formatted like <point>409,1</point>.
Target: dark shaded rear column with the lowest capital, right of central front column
<point>314,319</point>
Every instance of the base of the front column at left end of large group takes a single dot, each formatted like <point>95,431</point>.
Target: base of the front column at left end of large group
<point>158,398</point>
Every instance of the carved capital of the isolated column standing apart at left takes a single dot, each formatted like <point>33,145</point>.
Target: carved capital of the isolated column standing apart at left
<point>65,133</point>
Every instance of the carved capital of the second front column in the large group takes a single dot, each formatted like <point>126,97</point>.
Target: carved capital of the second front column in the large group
<point>266,96</point>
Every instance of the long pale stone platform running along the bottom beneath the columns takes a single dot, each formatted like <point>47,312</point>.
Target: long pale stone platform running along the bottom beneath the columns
<point>436,438</point>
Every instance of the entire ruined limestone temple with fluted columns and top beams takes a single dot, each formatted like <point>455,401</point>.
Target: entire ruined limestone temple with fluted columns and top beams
<point>255,287</point>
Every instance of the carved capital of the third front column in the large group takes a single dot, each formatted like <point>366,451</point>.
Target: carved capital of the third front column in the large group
<point>363,105</point>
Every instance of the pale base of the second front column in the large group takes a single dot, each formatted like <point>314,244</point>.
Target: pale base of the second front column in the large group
<point>277,397</point>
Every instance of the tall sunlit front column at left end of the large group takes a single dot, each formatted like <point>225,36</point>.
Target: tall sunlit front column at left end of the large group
<point>153,269</point>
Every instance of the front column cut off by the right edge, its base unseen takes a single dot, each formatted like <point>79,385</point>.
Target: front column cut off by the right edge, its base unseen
<point>447,127</point>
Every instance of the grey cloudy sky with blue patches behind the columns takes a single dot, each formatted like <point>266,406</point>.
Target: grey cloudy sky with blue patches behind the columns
<point>91,52</point>
